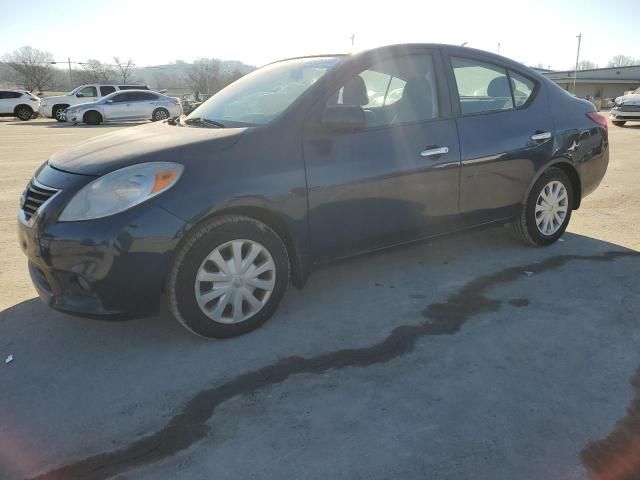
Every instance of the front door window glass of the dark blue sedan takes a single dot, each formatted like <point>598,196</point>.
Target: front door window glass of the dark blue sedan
<point>393,91</point>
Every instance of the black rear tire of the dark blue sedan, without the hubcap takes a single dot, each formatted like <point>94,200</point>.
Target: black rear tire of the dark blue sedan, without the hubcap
<point>525,226</point>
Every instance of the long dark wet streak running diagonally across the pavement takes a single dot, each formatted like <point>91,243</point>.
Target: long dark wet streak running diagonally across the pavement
<point>190,425</point>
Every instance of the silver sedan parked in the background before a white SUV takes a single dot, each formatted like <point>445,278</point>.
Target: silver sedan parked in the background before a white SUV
<point>127,105</point>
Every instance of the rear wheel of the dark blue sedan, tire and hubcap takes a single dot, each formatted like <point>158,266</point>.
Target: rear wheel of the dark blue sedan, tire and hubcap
<point>546,213</point>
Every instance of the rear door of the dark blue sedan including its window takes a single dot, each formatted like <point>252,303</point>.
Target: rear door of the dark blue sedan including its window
<point>506,134</point>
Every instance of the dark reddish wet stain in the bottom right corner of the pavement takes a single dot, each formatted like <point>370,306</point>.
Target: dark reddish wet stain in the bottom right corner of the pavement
<point>617,457</point>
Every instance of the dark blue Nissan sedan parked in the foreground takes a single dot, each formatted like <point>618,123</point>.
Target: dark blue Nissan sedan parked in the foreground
<point>301,162</point>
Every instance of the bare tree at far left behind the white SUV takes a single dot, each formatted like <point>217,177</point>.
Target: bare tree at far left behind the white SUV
<point>32,68</point>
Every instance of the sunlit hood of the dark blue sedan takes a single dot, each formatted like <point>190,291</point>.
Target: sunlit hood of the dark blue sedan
<point>145,143</point>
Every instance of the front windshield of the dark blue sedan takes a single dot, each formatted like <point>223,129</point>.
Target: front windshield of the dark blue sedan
<point>260,96</point>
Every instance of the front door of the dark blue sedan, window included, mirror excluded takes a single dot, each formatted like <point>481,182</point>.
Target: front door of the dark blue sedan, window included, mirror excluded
<point>396,179</point>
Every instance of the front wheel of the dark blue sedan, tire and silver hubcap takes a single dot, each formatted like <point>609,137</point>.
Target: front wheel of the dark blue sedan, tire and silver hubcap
<point>228,277</point>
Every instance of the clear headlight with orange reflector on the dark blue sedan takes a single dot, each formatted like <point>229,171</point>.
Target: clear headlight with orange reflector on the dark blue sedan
<point>122,189</point>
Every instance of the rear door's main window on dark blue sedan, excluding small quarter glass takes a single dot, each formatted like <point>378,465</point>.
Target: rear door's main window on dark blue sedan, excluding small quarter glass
<point>482,87</point>
